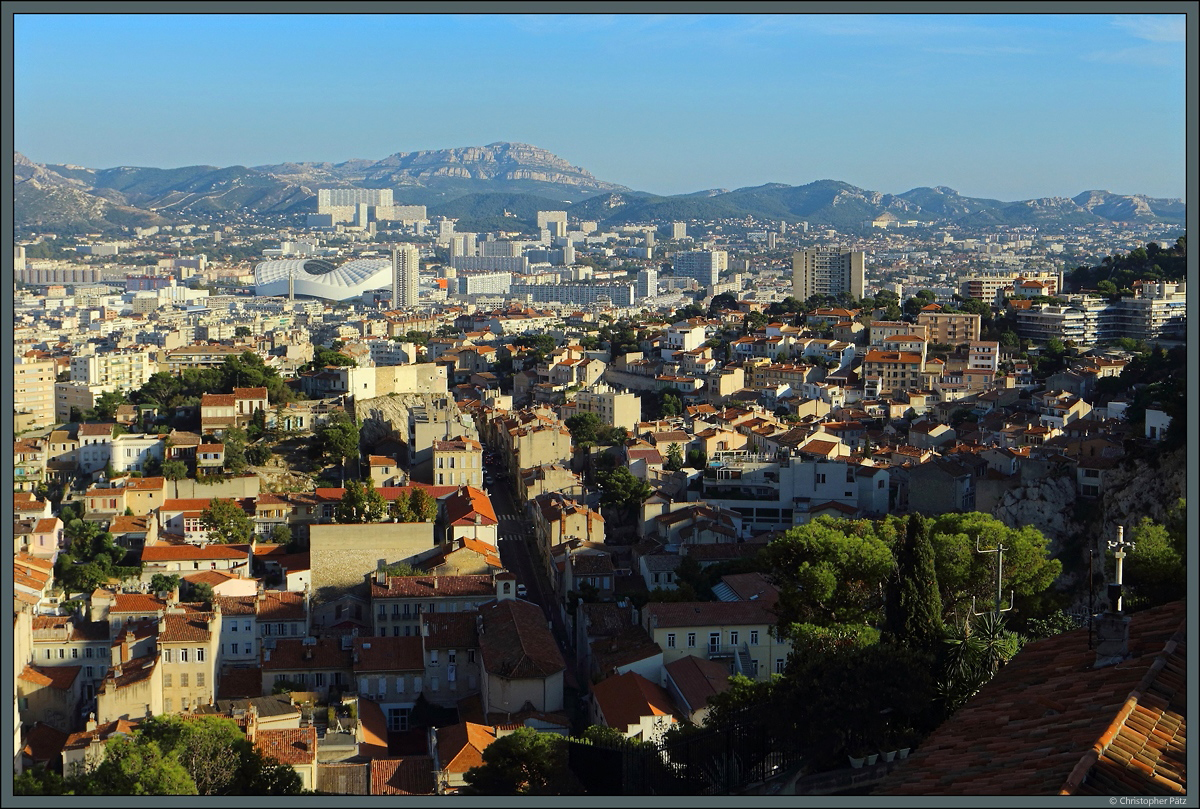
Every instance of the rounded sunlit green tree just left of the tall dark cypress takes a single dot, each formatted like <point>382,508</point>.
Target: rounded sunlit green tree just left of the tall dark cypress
<point>830,572</point>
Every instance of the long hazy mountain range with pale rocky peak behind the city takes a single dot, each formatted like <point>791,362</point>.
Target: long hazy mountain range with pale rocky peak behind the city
<point>485,185</point>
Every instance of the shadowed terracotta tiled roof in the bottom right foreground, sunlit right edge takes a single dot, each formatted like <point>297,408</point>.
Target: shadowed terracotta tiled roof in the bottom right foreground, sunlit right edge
<point>1039,728</point>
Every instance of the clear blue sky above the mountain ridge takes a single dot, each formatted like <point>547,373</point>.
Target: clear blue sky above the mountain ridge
<point>1009,106</point>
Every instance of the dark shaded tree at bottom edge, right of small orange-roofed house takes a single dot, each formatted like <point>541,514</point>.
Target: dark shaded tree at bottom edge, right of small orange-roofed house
<point>524,763</point>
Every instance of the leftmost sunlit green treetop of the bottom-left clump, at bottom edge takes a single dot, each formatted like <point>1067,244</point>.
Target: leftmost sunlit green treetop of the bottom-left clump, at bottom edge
<point>135,765</point>
